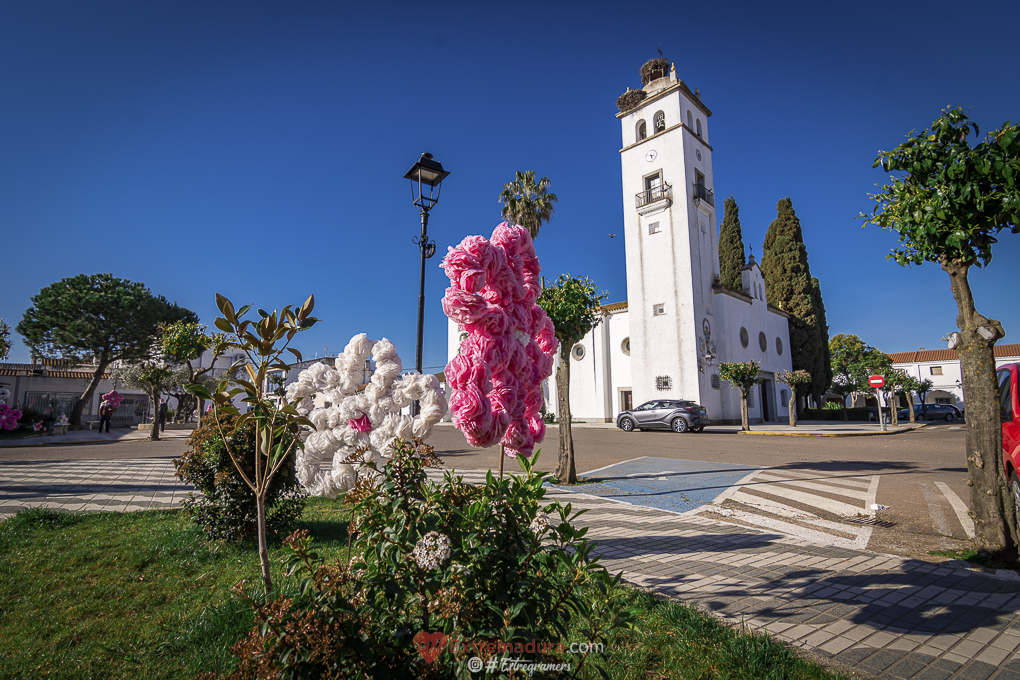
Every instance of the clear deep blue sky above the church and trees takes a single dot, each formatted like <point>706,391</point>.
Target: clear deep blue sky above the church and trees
<point>258,149</point>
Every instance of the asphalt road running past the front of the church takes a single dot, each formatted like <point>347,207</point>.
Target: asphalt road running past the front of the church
<point>908,466</point>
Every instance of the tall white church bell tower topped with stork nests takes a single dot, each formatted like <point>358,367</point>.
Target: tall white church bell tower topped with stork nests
<point>671,238</point>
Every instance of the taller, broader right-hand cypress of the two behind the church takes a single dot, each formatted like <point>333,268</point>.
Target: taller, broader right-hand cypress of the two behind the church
<point>790,287</point>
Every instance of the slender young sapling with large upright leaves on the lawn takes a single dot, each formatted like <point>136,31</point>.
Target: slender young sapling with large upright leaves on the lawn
<point>276,425</point>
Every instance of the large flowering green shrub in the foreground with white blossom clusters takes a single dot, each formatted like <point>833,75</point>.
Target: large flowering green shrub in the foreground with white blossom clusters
<point>472,567</point>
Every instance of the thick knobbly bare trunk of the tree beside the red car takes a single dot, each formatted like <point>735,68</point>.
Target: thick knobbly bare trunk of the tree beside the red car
<point>991,505</point>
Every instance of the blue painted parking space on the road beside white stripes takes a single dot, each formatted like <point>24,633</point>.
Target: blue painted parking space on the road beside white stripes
<point>666,484</point>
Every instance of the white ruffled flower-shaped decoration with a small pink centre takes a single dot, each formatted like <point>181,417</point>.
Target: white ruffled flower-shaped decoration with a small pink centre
<point>356,422</point>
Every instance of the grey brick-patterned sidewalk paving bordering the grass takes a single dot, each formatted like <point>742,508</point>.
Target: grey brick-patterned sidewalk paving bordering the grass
<point>878,614</point>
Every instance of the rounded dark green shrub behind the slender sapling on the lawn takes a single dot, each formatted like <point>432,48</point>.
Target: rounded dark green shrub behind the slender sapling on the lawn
<point>227,507</point>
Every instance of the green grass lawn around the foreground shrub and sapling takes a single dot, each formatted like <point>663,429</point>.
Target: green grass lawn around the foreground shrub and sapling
<point>145,595</point>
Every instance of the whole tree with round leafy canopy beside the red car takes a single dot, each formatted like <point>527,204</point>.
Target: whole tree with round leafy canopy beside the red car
<point>948,201</point>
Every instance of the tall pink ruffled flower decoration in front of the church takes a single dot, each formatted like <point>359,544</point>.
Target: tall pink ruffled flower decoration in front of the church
<point>497,377</point>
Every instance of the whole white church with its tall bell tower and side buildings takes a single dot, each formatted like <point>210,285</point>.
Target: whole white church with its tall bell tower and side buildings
<point>679,324</point>
